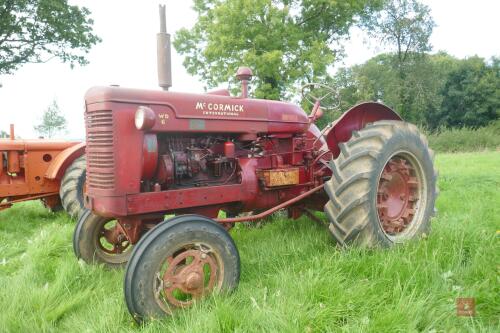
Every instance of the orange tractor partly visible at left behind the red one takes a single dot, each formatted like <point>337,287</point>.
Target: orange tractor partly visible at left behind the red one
<point>52,171</point>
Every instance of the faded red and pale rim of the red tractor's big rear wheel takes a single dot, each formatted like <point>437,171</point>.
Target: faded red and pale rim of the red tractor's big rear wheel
<point>401,196</point>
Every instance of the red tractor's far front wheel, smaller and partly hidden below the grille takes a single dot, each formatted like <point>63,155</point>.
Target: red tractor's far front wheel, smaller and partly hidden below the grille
<point>100,240</point>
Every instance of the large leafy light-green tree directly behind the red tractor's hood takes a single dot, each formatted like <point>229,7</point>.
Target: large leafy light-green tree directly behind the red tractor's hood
<point>286,43</point>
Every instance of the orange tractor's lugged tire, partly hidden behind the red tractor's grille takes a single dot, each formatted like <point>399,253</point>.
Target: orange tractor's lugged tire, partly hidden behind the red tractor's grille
<point>72,188</point>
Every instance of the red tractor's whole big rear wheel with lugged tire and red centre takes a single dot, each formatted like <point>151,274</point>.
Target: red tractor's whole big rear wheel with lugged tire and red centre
<point>383,187</point>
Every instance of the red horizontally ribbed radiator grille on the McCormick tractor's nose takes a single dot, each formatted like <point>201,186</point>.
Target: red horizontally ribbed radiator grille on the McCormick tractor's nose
<point>100,155</point>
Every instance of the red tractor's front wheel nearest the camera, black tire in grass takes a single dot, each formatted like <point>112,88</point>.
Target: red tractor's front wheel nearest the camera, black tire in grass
<point>178,262</point>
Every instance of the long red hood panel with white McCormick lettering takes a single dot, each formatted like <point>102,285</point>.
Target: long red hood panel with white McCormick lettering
<point>209,113</point>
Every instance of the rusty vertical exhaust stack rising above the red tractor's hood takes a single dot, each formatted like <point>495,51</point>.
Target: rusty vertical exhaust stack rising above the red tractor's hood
<point>163,53</point>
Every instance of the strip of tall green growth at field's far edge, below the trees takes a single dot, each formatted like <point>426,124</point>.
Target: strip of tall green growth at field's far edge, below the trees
<point>466,139</point>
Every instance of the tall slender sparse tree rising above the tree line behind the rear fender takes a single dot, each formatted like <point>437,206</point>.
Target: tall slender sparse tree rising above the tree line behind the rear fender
<point>404,27</point>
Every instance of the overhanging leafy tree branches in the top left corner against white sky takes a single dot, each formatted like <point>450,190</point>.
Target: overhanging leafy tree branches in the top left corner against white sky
<point>33,31</point>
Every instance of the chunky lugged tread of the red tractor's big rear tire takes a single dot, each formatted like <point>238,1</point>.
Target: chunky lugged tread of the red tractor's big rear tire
<point>349,189</point>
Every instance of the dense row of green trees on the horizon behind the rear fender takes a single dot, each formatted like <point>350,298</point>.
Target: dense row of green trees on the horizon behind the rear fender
<point>438,90</point>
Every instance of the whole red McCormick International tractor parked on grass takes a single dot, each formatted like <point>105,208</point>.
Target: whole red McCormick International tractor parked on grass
<point>191,156</point>
